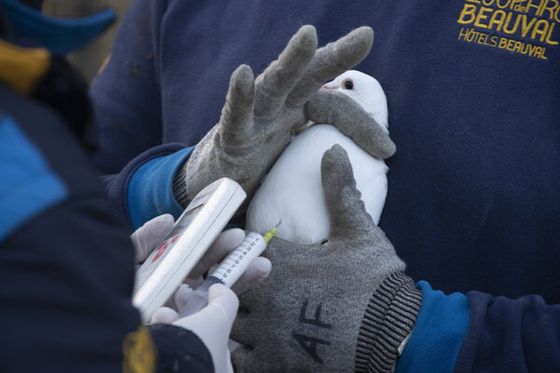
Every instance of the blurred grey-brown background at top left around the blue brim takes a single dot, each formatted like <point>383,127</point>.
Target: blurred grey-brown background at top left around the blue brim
<point>90,59</point>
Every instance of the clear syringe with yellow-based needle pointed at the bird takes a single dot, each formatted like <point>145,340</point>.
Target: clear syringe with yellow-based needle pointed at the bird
<point>229,271</point>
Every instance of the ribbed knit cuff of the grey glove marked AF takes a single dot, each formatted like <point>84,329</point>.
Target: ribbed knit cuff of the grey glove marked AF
<point>389,318</point>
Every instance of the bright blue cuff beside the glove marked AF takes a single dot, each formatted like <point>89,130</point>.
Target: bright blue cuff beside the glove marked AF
<point>439,332</point>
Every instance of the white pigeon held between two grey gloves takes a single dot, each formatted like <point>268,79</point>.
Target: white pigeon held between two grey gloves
<point>292,192</point>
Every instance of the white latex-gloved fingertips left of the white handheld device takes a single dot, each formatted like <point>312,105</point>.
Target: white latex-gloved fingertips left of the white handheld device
<point>146,238</point>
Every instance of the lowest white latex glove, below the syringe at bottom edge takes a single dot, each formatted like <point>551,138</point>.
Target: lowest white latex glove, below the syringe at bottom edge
<point>213,323</point>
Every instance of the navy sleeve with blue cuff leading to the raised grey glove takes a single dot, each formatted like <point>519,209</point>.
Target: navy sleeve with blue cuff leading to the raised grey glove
<point>127,100</point>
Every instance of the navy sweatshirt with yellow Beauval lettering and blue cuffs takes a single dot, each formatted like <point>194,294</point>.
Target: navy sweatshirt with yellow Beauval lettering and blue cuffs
<point>473,203</point>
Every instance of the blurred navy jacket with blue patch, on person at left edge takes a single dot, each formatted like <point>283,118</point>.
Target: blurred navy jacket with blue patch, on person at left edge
<point>66,260</point>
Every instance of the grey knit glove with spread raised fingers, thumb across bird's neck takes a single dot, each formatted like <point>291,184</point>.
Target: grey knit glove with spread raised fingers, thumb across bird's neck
<point>259,115</point>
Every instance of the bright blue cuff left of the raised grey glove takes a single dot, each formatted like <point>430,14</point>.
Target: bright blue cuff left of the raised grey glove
<point>150,191</point>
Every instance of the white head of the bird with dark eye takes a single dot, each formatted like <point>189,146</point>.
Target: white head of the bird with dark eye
<point>366,91</point>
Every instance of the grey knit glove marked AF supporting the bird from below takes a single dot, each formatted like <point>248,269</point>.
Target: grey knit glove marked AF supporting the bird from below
<point>341,306</point>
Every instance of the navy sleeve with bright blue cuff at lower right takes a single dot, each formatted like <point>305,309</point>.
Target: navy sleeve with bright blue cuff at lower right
<point>477,332</point>
